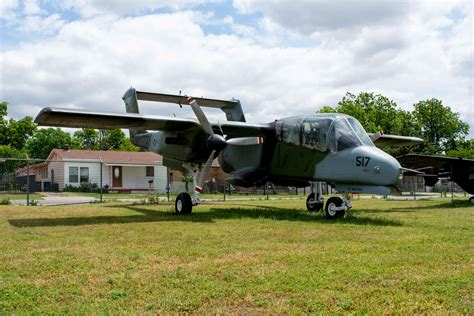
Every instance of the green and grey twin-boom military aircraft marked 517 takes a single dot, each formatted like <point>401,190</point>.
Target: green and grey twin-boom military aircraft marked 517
<point>293,151</point>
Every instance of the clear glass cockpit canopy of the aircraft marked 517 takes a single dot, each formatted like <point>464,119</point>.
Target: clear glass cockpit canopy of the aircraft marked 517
<point>323,132</point>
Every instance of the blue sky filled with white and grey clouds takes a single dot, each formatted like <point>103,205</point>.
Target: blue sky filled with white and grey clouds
<point>279,58</point>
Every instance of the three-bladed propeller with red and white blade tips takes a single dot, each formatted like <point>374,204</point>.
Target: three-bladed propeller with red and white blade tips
<point>215,141</point>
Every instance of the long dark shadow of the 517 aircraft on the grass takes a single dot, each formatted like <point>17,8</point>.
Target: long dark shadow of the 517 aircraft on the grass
<point>243,211</point>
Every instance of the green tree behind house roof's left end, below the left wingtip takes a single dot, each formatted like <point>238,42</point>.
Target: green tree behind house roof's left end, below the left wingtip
<point>45,140</point>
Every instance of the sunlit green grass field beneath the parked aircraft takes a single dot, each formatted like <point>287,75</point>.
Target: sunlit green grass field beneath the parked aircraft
<point>239,257</point>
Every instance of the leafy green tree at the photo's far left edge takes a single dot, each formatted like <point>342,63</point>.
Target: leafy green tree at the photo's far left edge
<point>15,133</point>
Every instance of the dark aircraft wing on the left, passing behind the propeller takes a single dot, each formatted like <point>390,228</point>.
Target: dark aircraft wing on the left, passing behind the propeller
<point>61,117</point>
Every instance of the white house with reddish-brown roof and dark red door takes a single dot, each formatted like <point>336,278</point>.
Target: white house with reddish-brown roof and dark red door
<point>115,170</point>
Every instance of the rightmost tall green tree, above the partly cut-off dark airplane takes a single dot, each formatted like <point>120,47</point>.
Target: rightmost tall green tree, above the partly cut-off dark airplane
<point>441,128</point>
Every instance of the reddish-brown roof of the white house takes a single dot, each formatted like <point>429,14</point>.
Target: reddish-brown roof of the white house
<point>109,157</point>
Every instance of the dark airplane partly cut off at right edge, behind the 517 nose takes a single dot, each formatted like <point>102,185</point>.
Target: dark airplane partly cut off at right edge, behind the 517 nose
<point>459,170</point>
